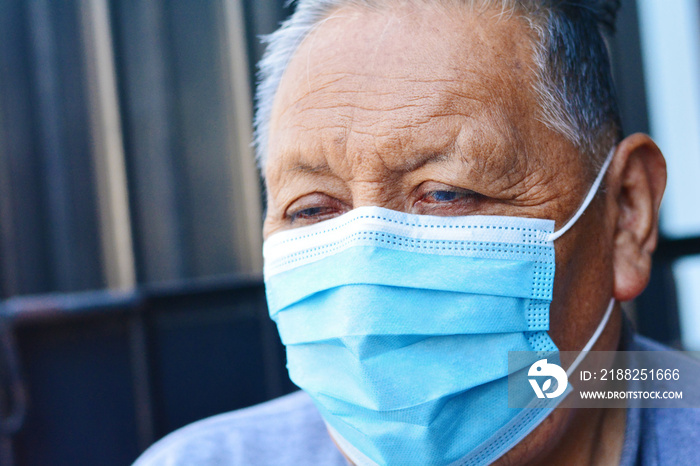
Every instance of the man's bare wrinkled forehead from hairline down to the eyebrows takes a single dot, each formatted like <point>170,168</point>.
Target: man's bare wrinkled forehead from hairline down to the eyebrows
<point>391,73</point>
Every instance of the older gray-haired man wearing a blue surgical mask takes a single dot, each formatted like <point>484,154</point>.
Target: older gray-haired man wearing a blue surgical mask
<point>429,165</point>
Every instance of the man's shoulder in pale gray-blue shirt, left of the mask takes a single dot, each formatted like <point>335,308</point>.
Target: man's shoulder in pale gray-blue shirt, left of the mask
<point>287,430</point>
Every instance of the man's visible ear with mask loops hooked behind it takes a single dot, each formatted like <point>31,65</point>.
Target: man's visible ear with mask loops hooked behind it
<point>636,184</point>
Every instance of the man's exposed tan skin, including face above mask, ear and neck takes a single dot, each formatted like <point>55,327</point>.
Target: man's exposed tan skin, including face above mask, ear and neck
<point>432,111</point>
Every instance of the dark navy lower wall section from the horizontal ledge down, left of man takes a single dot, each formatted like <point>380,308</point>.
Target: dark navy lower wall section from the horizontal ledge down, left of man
<point>143,362</point>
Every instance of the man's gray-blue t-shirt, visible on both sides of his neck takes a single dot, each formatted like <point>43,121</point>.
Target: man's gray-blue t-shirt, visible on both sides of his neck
<point>289,431</point>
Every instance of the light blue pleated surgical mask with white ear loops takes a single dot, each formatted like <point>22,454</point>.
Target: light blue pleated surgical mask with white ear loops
<point>399,326</point>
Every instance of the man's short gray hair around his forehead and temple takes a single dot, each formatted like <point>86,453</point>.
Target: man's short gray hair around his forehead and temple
<point>574,84</point>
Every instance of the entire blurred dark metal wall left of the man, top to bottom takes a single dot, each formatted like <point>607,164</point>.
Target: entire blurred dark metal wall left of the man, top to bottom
<point>130,224</point>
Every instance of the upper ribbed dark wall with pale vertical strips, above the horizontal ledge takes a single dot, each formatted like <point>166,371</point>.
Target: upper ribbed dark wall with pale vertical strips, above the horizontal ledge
<point>125,131</point>
